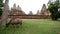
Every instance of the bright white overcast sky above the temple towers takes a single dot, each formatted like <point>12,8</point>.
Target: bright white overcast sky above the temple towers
<point>29,5</point>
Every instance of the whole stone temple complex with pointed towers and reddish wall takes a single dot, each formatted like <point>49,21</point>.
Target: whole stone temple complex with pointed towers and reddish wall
<point>18,12</point>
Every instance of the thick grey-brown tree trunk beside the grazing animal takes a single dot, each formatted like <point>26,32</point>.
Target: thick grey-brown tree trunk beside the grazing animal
<point>4,16</point>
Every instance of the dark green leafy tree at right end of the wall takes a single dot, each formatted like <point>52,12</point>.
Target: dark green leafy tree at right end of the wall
<point>53,7</point>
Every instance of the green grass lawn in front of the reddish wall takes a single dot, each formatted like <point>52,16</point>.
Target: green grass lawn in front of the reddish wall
<point>34,26</point>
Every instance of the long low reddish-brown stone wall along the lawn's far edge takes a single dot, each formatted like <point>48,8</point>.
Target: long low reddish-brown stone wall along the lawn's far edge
<point>30,16</point>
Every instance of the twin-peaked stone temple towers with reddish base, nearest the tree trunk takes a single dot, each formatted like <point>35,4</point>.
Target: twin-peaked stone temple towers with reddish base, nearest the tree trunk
<point>16,10</point>
